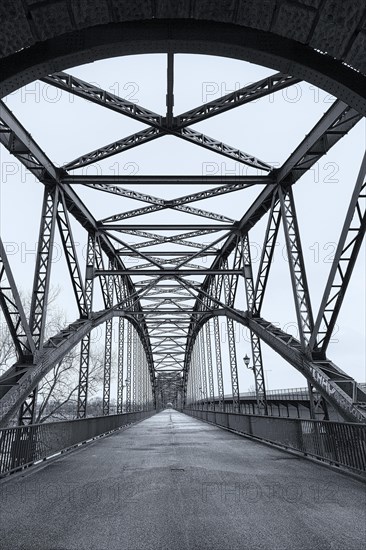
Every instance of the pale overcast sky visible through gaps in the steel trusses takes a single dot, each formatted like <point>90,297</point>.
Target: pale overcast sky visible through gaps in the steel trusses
<point>270,128</point>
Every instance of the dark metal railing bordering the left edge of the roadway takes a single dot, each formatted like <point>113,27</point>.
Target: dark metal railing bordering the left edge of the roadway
<point>25,445</point>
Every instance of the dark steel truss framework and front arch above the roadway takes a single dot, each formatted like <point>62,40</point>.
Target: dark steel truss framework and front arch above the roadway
<point>168,305</point>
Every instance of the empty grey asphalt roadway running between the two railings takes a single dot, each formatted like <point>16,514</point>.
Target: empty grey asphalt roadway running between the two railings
<point>174,483</point>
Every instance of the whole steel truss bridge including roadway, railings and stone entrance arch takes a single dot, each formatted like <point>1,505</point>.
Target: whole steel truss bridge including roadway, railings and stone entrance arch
<point>174,478</point>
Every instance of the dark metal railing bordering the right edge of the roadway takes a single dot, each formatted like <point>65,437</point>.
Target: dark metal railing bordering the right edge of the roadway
<point>339,443</point>
